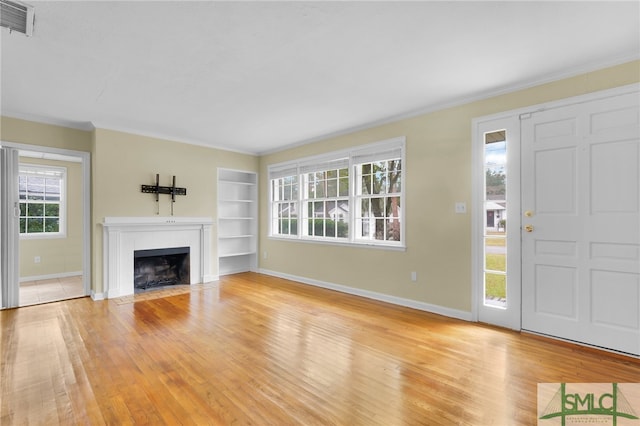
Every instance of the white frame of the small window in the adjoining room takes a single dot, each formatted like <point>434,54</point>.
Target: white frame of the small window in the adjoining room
<point>31,169</point>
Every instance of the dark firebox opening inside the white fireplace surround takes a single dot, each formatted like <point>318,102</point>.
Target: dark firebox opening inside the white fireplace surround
<point>160,267</point>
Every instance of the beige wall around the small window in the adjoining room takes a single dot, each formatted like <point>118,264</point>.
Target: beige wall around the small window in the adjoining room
<point>57,255</point>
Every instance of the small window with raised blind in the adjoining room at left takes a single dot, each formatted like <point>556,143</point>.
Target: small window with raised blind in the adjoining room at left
<point>41,191</point>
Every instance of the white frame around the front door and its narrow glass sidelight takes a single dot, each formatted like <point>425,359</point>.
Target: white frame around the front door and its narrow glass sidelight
<point>477,177</point>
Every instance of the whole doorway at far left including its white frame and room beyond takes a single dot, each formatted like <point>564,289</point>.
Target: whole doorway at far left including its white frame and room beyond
<point>46,204</point>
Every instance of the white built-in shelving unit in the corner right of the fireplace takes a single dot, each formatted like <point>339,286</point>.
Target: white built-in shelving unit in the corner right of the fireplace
<point>237,221</point>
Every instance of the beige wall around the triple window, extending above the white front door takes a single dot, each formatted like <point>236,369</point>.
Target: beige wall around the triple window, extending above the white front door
<point>438,173</point>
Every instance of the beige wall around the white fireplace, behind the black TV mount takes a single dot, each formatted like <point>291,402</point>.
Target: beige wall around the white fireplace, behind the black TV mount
<point>122,162</point>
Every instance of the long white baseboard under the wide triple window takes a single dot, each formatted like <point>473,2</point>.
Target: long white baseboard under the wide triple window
<point>414,304</point>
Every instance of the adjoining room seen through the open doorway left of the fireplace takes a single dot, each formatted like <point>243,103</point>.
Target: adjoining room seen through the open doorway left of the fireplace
<point>50,220</point>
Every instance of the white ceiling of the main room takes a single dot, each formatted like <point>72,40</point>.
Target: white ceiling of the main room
<point>257,77</point>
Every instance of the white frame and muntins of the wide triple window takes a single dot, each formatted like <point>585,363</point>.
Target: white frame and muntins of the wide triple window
<point>300,168</point>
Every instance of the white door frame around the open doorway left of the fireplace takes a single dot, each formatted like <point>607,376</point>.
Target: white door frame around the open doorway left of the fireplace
<point>85,158</point>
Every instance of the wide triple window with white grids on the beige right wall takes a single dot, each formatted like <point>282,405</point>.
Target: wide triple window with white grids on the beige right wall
<point>352,196</point>
